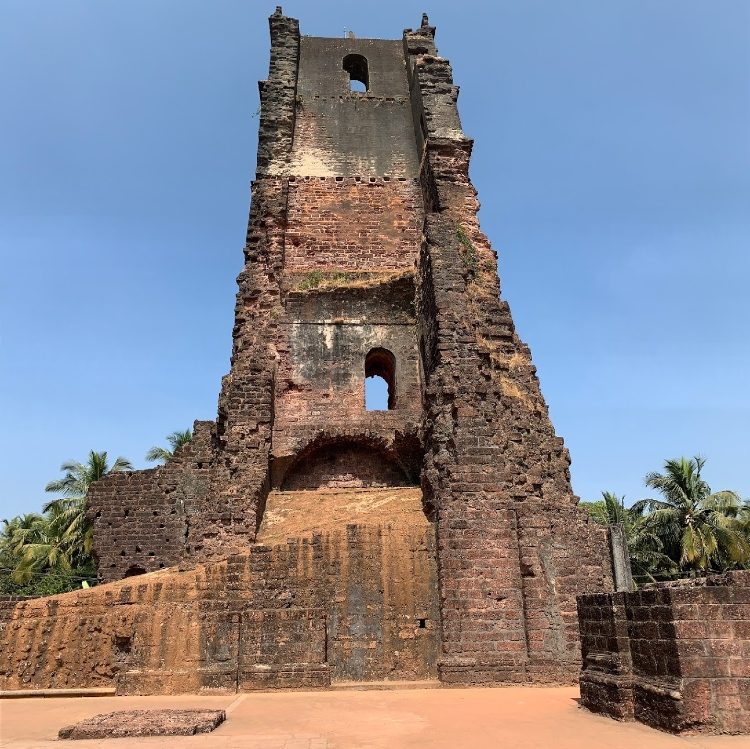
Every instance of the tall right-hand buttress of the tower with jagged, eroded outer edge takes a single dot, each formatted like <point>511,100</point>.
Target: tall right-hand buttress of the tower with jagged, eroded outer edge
<point>513,547</point>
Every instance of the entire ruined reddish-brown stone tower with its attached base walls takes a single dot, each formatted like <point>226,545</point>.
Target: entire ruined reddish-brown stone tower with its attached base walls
<point>301,539</point>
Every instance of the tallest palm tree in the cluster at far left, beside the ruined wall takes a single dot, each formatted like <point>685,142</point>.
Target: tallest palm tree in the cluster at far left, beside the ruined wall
<point>68,513</point>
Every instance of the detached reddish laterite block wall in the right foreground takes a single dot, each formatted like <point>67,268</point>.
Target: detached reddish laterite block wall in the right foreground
<point>675,656</point>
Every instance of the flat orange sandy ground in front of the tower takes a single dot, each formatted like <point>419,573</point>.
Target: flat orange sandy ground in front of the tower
<point>507,718</point>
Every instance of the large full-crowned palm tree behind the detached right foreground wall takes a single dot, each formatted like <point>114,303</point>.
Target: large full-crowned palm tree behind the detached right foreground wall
<point>699,529</point>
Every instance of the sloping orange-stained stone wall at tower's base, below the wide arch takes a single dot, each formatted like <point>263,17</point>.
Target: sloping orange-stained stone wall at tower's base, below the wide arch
<point>327,596</point>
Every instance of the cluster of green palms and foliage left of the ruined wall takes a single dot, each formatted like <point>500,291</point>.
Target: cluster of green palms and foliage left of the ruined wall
<point>51,552</point>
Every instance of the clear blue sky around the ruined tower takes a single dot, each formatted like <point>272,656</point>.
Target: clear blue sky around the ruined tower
<point>612,160</point>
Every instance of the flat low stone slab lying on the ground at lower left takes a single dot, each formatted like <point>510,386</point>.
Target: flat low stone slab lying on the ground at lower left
<point>126,723</point>
